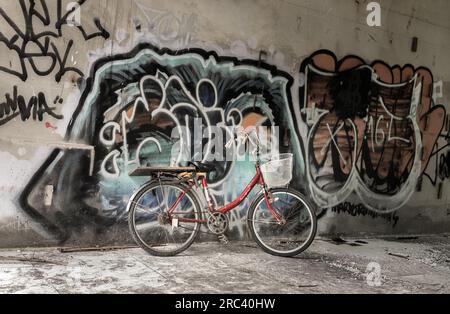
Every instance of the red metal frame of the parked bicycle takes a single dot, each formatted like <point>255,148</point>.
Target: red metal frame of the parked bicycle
<point>258,178</point>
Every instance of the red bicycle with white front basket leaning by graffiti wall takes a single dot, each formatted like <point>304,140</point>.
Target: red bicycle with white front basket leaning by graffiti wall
<point>165,215</point>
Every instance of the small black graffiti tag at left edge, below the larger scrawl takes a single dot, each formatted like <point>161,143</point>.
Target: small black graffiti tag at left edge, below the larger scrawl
<point>36,107</point>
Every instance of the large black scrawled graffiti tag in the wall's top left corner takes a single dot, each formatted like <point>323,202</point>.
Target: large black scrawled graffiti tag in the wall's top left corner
<point>40,49</point>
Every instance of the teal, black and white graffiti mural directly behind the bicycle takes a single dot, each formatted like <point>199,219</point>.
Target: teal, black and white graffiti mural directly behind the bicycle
<point>128,111</point>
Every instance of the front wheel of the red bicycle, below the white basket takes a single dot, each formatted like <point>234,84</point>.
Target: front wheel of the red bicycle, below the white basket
<point>293,233</point>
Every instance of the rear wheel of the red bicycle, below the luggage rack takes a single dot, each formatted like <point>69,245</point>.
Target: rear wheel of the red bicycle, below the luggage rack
<point>149,222</point>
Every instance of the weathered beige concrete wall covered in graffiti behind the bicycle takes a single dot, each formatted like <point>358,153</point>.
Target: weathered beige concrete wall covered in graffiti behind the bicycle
<point>64,88</point>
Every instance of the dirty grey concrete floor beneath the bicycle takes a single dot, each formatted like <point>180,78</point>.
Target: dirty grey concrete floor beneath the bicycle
<point>416,266</point>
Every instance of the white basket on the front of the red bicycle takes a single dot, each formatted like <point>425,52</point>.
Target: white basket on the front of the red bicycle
<point>278,171</point>
